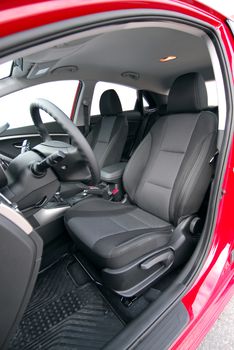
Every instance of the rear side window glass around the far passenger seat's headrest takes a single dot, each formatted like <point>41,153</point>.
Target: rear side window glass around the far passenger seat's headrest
<point>126,94</point>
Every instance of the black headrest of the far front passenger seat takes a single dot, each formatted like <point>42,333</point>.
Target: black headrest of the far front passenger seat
<point>109,103</point>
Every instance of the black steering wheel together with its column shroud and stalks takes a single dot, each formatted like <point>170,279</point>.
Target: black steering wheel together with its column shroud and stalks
<point>33,177</point>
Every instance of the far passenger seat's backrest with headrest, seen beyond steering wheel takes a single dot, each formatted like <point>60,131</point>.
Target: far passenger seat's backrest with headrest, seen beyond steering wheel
<point>109,135</point>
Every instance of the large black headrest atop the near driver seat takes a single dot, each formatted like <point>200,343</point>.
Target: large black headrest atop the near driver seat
<point>188,94</point>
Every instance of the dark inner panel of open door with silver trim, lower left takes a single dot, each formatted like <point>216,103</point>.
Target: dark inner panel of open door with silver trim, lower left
<point>20,256</point>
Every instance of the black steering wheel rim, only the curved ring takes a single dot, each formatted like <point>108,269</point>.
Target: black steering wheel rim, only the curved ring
<point>77,137</point>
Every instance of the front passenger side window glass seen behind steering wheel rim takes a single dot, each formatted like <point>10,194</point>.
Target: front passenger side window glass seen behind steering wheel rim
<point>14,108</point>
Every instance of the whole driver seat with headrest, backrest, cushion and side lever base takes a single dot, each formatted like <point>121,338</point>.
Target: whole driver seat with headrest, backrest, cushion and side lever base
<point>166,179</point>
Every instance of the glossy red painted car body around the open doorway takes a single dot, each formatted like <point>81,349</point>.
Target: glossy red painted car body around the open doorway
<point>214,285</point>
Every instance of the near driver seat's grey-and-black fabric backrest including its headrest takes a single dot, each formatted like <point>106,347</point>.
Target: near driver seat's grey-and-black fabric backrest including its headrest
<point>170,172</point>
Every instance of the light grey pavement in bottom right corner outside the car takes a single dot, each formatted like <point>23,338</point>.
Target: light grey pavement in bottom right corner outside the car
<point>221,336</point>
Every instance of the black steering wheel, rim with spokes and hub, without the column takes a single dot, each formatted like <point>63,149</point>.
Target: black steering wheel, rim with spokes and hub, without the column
<point>76,154</point>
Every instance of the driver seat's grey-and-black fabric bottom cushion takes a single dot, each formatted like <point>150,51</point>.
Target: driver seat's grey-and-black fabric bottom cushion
<point>115,234</point>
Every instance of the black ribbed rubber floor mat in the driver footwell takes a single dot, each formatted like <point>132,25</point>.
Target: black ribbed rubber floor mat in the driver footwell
<point>66,312</point>
